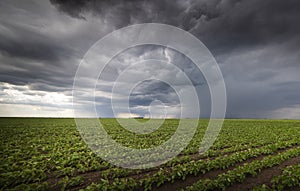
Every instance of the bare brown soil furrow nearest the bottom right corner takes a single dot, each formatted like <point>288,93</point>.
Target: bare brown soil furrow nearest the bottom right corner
<point>264,177</point>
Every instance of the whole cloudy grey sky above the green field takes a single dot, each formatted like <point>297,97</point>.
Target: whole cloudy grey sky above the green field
<point>255,43</point>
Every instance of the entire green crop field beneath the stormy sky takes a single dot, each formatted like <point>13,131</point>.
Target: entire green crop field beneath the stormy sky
<point>49,154</point>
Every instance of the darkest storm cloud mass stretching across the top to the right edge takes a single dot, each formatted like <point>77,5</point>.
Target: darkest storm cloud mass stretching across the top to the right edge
<point>221,24</point>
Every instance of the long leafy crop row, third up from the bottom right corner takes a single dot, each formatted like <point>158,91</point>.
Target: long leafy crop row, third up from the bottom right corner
<point>181,171</point>
